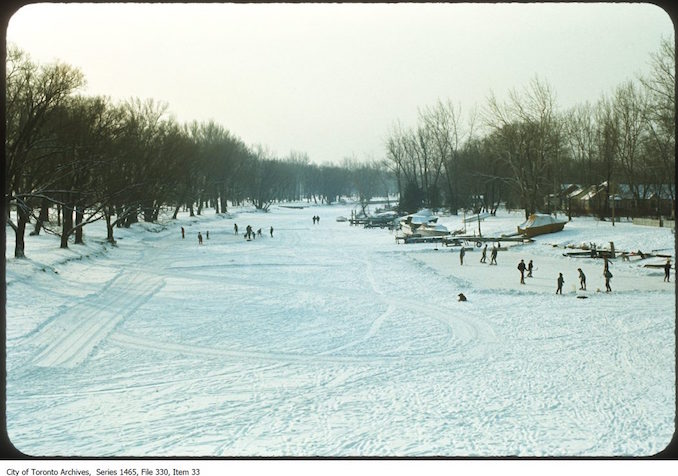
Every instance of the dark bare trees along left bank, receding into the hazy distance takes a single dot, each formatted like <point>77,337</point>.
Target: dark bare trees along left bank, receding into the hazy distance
<point>74,159</point>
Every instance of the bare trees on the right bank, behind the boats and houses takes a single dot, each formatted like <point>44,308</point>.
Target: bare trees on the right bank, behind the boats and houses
<point>525,149</point>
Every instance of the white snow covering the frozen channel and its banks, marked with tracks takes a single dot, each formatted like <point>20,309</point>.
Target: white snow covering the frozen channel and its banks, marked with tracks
<point>333,340</point>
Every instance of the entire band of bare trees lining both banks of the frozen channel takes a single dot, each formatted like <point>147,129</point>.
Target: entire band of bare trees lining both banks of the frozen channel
<point>73,159</point>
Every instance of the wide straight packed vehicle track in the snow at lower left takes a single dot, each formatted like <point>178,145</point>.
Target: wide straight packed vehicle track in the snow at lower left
<point>78,333</point>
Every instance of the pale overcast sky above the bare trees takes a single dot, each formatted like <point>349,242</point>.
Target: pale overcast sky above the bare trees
<point>331,79</point>
